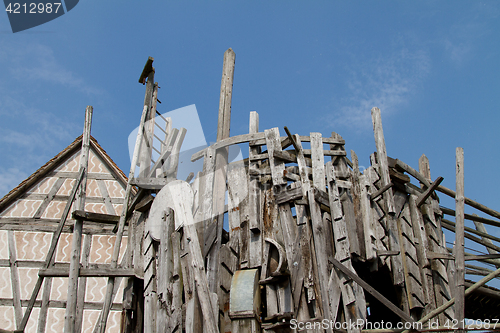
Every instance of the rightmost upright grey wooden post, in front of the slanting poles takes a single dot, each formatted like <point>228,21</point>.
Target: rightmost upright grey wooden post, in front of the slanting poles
<point>459,240</point>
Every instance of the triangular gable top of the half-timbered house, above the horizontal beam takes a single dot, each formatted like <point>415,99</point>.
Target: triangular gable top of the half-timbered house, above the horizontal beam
<point>24,200</point>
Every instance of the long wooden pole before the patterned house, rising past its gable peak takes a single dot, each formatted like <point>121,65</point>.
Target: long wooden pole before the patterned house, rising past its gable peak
<point>74,269</point>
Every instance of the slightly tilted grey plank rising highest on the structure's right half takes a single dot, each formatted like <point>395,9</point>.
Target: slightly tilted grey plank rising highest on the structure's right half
<point>382,158</point>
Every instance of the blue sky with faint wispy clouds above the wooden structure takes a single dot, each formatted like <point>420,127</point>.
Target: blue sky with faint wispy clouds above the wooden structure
<point>432,67</point>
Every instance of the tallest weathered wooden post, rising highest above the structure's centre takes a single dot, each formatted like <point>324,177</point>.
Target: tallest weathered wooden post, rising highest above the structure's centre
<point>221,156</point>
